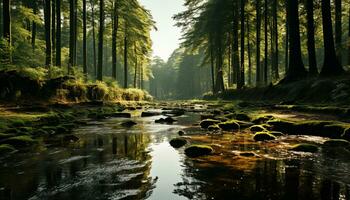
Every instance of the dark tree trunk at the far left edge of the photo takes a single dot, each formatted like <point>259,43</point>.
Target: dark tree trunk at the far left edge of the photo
<point>7,30</point>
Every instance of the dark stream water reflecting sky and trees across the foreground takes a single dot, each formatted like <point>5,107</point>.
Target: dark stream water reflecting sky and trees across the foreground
<point>113,162</point>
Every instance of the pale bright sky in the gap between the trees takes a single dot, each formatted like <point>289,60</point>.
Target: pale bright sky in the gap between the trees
<point>167,38</point>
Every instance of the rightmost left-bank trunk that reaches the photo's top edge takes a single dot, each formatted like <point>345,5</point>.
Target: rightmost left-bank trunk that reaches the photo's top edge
<point>114,40</point>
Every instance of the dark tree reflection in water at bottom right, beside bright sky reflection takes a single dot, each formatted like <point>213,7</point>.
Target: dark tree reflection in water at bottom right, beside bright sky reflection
<point>270,179</point>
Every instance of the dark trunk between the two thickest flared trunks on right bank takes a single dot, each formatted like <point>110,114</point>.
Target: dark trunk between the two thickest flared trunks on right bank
<point>311,38</point>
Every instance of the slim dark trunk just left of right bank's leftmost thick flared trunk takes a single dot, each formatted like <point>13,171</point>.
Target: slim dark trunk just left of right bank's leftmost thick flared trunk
<point>274,32</point>
